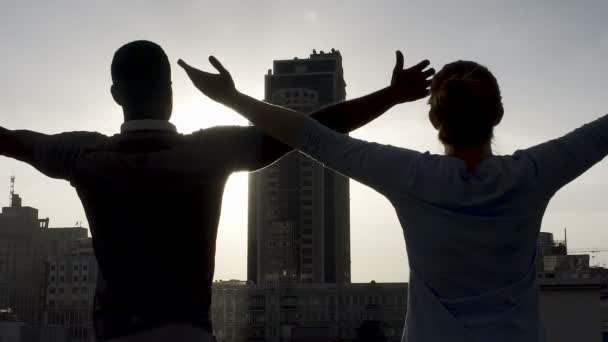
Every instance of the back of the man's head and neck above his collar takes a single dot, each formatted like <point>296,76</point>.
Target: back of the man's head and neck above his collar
<point>141,77</point>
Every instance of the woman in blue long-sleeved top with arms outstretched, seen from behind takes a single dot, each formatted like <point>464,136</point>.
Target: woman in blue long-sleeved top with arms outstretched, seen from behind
<point>470,218</point>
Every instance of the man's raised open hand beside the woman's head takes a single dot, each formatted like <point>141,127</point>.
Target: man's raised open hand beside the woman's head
<point>410,84</point>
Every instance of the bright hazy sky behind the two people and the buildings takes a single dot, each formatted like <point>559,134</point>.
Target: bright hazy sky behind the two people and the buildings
<point>549,57</point>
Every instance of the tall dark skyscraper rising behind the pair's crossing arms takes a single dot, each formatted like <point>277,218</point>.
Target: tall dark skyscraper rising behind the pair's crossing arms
<point>299,218</point>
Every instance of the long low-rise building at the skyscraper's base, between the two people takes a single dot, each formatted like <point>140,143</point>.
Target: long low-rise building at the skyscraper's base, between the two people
<point>305,312</point>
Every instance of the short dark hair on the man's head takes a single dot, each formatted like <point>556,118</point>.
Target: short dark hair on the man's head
<point>141,68</point>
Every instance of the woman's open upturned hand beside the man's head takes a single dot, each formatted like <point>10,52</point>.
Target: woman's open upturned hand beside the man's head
<point>218,87</point>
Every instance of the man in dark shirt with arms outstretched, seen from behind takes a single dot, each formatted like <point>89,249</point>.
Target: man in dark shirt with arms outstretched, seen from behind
<point>153,196</point>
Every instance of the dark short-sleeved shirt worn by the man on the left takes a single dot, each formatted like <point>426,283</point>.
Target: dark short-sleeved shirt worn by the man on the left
<point>153,198</point>
